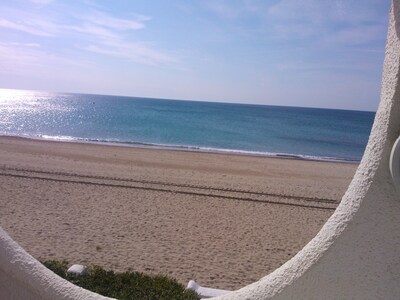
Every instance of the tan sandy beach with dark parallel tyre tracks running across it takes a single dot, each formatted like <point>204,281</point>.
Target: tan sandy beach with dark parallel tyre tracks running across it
<point>223,220</point>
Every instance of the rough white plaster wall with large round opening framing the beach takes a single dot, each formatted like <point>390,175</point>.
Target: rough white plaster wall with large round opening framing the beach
<point>354,256</point>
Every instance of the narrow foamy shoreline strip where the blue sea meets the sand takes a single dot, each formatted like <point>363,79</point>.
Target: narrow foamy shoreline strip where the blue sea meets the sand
<point>195,149</point>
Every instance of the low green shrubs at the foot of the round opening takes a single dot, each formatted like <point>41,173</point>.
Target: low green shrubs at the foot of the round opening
<point>127,285</point>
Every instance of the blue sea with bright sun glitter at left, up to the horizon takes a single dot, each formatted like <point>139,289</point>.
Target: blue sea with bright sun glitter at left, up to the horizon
<point>265,130</point>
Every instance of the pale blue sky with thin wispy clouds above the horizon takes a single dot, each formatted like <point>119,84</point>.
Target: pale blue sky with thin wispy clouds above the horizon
<point>309,53</point>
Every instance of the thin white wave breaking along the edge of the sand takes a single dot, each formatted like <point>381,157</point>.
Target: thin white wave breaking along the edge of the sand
<point>188,148</point>
